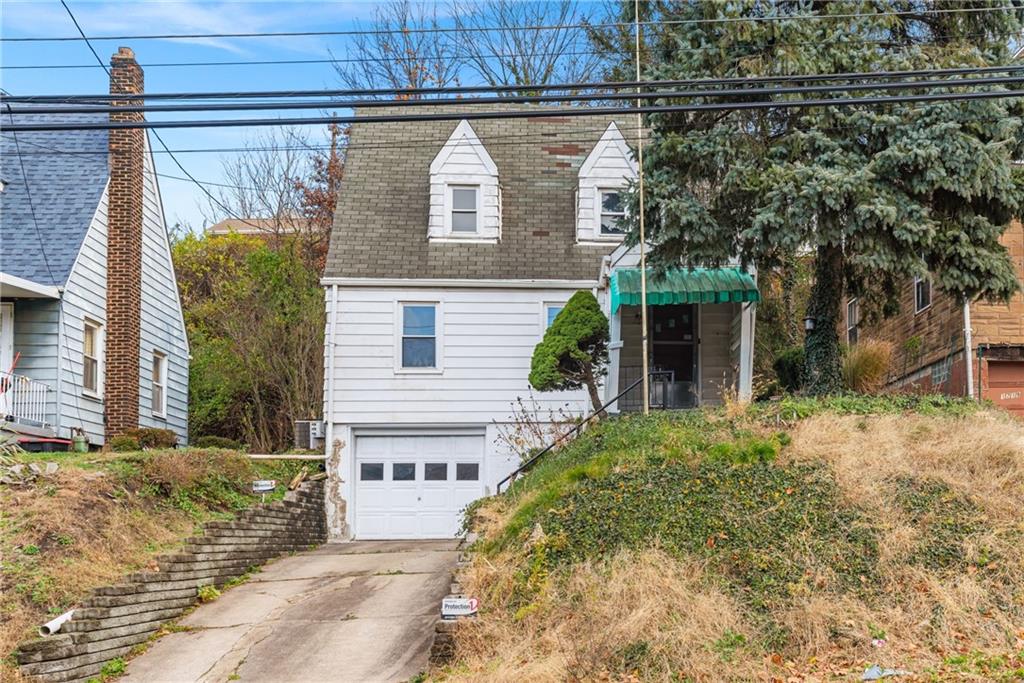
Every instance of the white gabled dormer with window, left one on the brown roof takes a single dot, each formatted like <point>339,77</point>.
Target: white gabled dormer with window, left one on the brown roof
<point>465,197</point>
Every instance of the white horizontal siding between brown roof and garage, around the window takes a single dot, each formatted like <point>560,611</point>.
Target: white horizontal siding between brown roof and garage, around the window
<point>487,346</point>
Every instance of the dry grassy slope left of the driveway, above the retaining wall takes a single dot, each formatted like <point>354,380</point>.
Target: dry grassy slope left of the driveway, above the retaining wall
<point>103,516</point>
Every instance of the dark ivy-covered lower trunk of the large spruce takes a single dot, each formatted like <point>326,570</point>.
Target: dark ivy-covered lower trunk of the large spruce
<point>823,360</point>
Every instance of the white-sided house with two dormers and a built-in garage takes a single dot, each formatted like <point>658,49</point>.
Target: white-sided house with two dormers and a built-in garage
<point>446,267</point>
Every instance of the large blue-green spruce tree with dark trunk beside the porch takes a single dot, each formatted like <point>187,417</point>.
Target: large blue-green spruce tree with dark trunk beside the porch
<point>880,193</point>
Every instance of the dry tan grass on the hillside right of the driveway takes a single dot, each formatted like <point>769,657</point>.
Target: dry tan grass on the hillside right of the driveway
<point>583,620</point>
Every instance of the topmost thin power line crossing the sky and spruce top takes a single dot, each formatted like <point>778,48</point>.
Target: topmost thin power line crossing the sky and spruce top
<point>460,30</point>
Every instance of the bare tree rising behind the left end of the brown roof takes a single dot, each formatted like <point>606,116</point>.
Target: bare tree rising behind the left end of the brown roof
<point>402,52</point>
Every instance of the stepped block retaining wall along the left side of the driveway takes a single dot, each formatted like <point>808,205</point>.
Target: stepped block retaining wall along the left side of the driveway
<point>116,619</point>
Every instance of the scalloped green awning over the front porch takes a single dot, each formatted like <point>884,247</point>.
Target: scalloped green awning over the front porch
<point>684,286</point>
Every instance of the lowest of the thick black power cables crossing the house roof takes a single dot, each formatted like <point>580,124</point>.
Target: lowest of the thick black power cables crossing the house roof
<point>538,113</point>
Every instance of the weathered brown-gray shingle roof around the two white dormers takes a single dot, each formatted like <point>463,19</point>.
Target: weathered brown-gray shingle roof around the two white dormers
<point>380,227</point>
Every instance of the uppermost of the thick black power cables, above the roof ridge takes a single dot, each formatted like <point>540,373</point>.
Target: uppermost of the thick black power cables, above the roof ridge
<point>408,95</point>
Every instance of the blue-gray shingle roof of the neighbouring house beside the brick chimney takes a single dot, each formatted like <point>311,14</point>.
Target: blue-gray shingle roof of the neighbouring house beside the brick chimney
<point>65,191</point>
